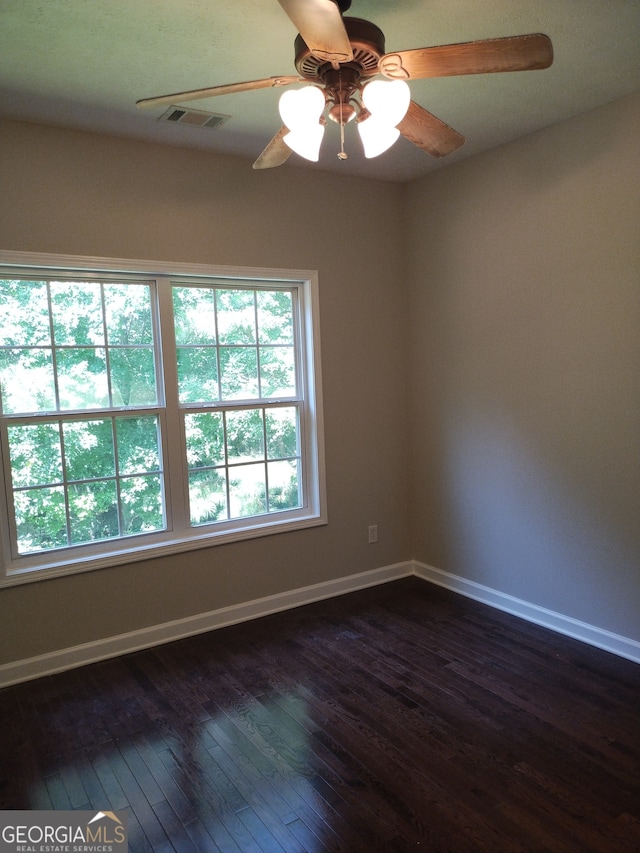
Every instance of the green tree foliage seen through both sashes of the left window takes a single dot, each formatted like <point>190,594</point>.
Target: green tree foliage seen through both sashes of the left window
<point>79,479</point>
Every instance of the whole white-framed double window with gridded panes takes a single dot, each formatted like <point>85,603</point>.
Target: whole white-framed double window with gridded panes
<point>143,412</point>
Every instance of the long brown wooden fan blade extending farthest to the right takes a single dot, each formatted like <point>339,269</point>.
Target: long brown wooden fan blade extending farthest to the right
<point>515,53</point>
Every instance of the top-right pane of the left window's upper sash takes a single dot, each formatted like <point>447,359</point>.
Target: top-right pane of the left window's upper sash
<point>128,314</point>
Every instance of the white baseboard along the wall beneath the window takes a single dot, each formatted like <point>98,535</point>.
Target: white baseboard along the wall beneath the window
<point>52,662</point>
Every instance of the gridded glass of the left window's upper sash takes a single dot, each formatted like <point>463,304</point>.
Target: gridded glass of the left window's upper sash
<point>71,345</point>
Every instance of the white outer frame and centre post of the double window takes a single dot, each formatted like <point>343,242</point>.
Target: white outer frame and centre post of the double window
<point>23,569</point>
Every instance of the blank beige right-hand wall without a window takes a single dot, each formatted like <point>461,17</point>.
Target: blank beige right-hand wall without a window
<point>525,386</point>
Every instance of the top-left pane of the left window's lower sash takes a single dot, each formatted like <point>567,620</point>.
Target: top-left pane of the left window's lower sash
<point>36,458</point>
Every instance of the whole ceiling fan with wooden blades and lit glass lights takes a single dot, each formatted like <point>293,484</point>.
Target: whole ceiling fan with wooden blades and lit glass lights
<point>340,55</point>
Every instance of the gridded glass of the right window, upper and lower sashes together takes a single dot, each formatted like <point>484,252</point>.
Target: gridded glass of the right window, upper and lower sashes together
<point>238,344</point>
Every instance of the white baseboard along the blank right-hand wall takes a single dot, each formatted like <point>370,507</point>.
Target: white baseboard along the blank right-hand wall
<point>615,643</point>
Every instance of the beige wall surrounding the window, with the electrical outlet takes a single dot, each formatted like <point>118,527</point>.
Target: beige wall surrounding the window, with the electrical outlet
<point>75,193</point>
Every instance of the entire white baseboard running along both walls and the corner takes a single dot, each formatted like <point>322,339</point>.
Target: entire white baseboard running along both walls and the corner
<point>48,664</point>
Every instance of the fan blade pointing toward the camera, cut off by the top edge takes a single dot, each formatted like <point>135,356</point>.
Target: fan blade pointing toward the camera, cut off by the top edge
<point>320,24</point>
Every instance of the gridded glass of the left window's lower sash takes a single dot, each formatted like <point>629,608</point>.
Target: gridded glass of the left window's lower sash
<point>84,480</point>
